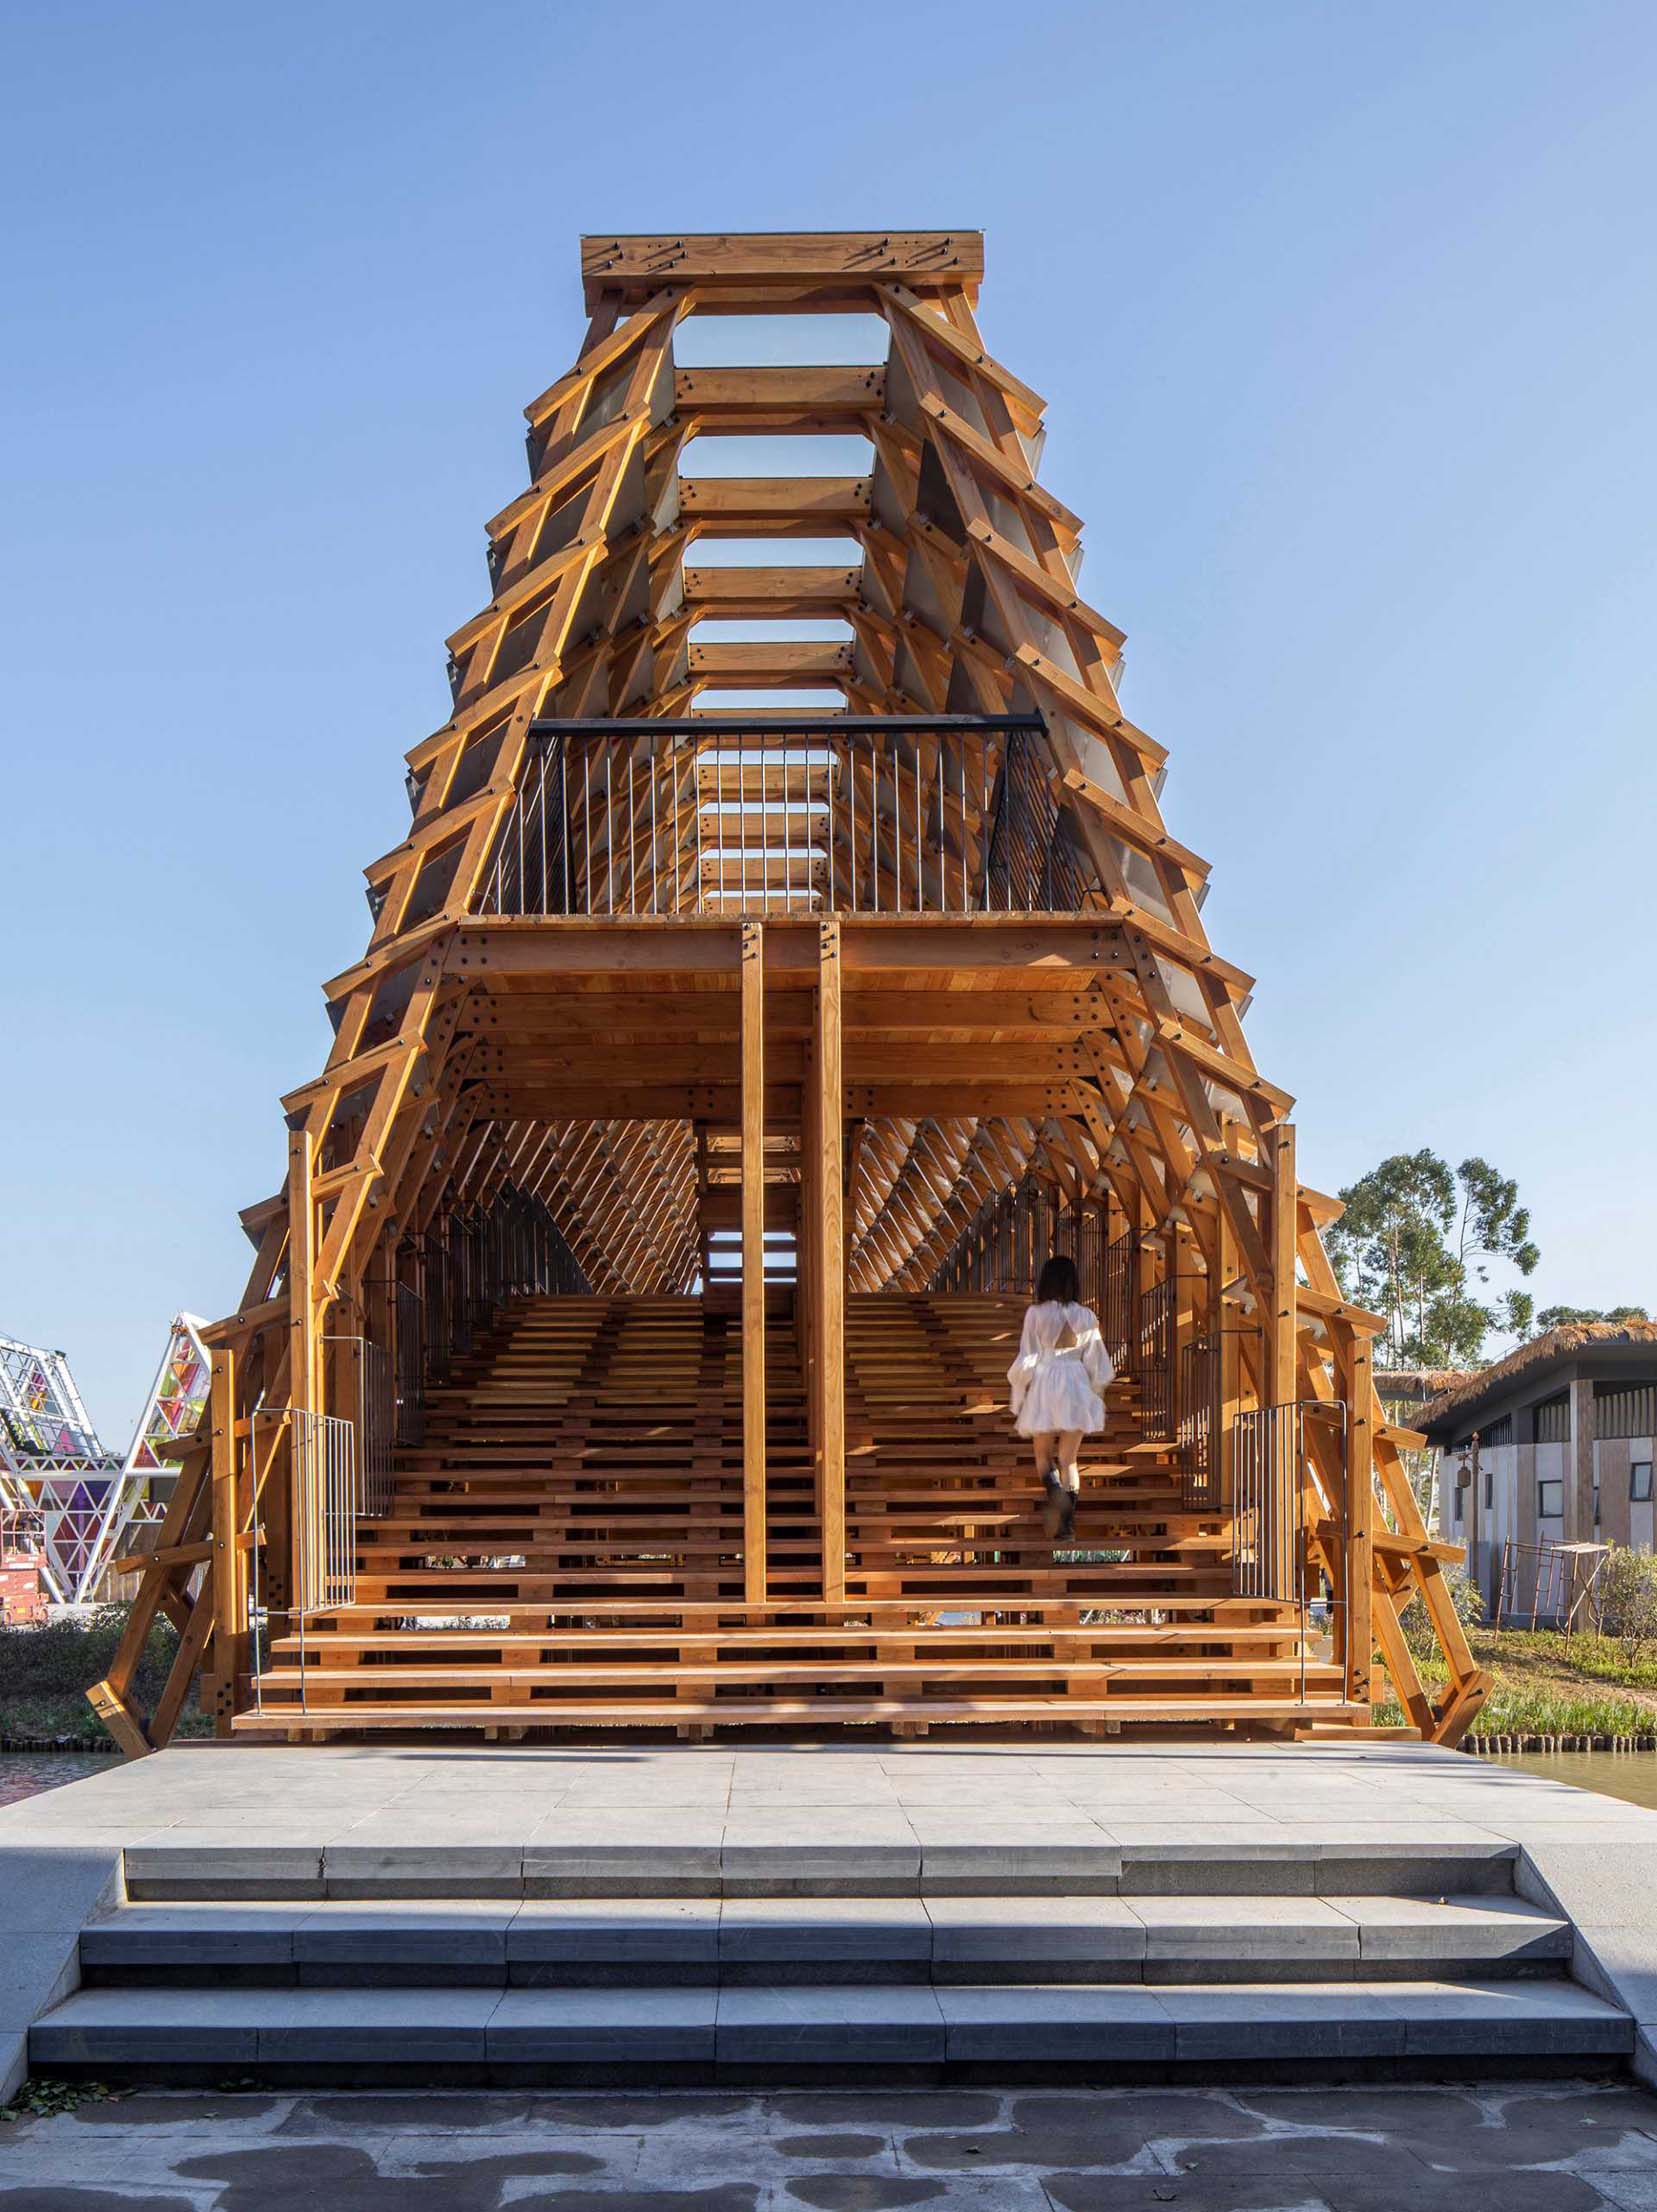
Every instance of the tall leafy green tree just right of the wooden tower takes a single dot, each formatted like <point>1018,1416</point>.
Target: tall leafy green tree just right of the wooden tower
<point>1417,1244</point>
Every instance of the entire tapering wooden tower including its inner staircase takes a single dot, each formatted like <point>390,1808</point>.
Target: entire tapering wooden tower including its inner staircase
<point>627,1344</point>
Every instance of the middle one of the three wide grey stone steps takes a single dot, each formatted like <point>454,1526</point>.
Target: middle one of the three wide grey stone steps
<point>809,1941</point>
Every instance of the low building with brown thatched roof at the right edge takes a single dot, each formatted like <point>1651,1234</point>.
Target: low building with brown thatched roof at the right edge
<point>1552,1446</point>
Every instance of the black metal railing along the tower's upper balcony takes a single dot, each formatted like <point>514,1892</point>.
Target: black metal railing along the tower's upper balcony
<point>853,815</point>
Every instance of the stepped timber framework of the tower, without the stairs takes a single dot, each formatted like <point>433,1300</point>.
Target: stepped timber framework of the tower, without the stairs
<point>676,1058</point>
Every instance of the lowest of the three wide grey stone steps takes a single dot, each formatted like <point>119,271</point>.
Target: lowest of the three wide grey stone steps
<point>773,2032</point>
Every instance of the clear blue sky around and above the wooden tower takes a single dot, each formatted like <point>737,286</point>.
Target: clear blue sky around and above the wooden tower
<point>1346,315</point>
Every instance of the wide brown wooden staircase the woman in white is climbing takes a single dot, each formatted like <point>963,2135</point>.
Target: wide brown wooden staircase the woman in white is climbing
<point>565,1550</point>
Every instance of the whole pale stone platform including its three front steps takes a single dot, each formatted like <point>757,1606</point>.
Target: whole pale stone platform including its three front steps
<point>771,1912</point>
